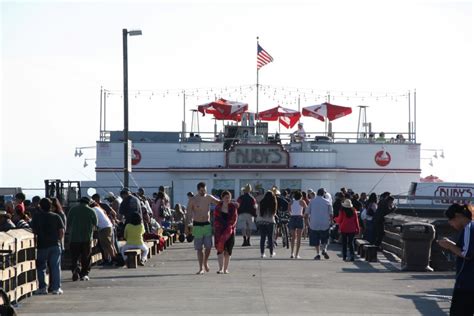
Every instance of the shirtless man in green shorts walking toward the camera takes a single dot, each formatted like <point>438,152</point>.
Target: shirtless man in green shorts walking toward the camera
<point>198,213</point>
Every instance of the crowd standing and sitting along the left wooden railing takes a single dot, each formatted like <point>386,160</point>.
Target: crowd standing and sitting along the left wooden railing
<point>132,217</point>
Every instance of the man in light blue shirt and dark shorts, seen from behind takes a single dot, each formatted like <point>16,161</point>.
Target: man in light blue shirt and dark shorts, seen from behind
<point>319,217</point>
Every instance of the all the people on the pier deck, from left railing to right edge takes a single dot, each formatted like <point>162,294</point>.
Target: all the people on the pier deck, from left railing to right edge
<point>134,217</point>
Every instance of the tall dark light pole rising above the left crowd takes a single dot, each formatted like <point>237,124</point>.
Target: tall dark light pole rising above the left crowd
<point>126,158</point>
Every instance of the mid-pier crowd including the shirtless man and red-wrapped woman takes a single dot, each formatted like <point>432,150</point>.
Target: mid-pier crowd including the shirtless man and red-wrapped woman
<point>312,214</point>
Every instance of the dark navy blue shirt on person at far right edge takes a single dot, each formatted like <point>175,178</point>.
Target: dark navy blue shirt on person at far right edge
<point>465,264</point>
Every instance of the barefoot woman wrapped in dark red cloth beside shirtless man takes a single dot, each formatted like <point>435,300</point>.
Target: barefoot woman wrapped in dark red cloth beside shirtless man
<point>225,220</point>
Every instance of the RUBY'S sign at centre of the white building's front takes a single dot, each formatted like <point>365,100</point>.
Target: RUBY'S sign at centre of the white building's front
<point>257,156</point>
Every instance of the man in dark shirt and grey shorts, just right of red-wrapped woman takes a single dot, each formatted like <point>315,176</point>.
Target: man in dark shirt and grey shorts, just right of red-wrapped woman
<point>247,211</point>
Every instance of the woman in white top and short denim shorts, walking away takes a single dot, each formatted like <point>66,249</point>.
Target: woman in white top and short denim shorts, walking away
<point>296,224</point>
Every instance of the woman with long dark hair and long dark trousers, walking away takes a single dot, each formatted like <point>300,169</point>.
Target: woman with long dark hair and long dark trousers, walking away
<point>266,222</point>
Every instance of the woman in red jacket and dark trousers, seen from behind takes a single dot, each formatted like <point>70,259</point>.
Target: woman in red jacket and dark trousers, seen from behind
<point>349,226</point>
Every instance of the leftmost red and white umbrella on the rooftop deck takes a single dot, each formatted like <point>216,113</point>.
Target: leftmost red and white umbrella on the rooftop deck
<point>224,109</point>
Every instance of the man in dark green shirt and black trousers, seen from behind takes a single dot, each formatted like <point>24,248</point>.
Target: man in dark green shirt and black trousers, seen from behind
<point>81,223</point>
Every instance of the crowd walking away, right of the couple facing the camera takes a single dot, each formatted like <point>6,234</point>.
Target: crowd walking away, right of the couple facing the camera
<point>315,214</point>
